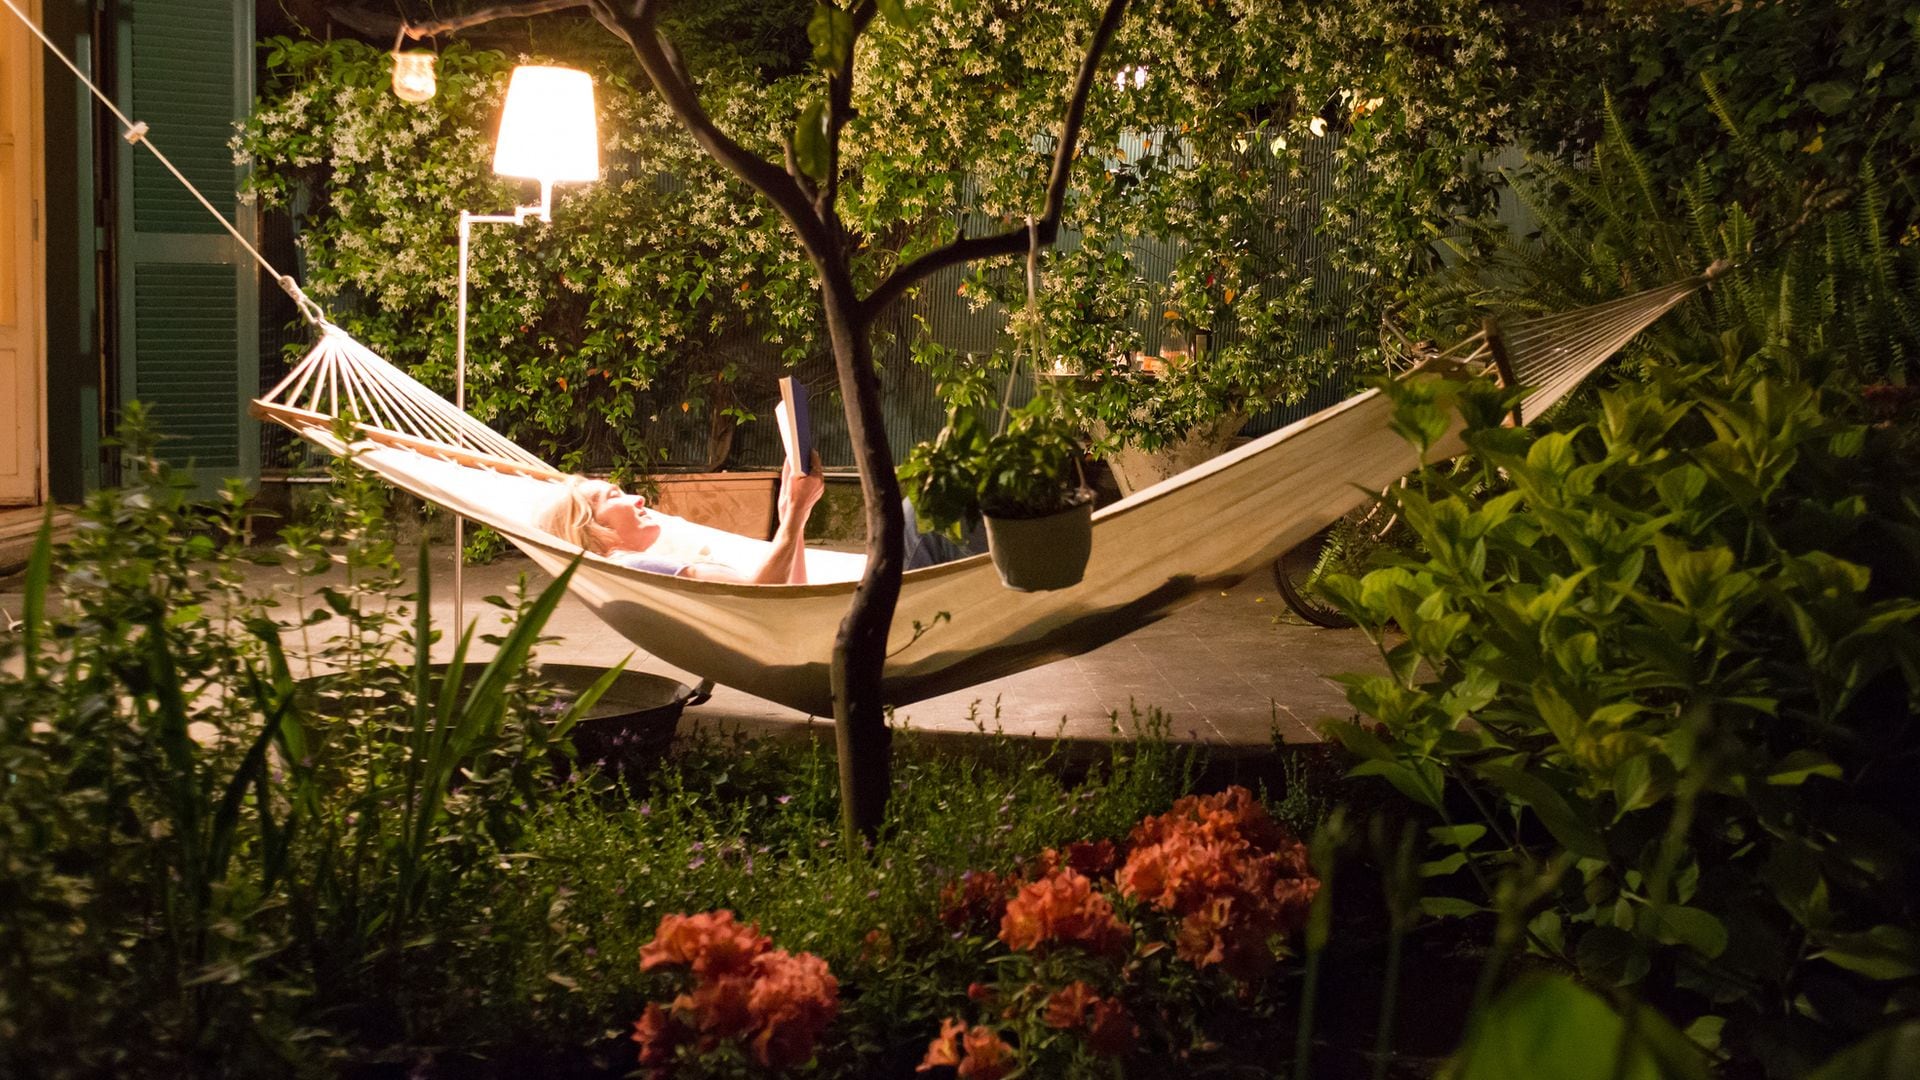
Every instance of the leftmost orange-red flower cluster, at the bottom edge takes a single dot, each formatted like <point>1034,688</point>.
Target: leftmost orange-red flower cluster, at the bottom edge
<point>775,1002</point>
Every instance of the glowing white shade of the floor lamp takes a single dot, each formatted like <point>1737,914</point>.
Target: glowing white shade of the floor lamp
<point>548,130</point>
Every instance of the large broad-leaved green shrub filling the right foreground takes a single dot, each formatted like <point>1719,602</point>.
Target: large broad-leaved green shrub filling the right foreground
<point>1675,660</point>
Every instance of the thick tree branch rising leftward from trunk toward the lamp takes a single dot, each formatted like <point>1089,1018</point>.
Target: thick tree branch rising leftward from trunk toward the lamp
<point>669,80</point>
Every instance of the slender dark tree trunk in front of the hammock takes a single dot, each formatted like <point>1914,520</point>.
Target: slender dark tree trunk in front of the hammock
<point>861,649</point>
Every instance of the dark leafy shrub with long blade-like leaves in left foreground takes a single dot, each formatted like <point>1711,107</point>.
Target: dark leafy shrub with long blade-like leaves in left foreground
<point>239,866</point>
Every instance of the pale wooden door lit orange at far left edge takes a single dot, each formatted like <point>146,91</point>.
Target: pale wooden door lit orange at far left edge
<point>28,253</point>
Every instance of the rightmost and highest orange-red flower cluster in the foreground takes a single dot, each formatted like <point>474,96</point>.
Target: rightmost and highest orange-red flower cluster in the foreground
<point>1228,871</point>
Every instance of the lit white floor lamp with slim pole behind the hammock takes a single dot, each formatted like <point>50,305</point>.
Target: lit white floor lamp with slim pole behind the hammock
<point>546,134</point>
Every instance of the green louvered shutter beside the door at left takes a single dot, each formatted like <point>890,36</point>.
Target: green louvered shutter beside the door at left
<point>187,291</point>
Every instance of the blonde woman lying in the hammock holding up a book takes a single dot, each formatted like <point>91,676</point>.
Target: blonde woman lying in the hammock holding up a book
<point>608,522</point>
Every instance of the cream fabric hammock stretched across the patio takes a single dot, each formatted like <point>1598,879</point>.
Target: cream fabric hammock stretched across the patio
<point>955,624</point>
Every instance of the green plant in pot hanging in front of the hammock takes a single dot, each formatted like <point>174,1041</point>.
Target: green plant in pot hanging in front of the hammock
<point>1019,474</point>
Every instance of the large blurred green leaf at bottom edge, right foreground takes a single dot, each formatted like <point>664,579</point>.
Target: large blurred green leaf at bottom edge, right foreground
<point>1545,1027</point>
